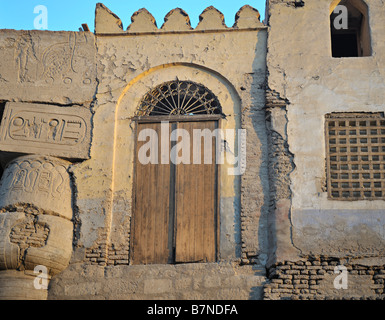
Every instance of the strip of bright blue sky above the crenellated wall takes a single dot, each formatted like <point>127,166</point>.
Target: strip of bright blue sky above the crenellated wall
<point>70,14</point>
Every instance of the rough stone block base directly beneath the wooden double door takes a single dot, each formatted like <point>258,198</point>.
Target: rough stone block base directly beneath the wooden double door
<point>204,281</point>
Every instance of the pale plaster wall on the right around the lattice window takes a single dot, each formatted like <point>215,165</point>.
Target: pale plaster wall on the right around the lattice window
<point>303,72</point>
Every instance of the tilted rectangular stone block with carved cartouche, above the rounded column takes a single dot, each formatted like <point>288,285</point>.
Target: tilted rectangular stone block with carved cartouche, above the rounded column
<point>46,130</point>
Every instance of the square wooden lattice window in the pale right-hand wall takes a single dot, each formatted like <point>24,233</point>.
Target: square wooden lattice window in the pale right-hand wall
<point>355,148</point>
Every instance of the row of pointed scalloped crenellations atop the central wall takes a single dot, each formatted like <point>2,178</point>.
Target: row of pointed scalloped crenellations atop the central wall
<point>177,20</point>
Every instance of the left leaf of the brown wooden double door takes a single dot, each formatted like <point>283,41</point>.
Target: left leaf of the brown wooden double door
<point>151,207</point>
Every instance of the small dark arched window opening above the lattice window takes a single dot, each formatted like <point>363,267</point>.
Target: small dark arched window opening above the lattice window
<point>350,34</point>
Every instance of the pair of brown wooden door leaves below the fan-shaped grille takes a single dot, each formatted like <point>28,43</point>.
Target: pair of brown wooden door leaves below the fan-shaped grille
<point>175,205</point>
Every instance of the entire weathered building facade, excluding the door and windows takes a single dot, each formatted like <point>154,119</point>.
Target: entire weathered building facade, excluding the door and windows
<point>67,142</point>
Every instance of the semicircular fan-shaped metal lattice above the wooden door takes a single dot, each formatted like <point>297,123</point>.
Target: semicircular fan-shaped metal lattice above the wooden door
<point>179,98</point>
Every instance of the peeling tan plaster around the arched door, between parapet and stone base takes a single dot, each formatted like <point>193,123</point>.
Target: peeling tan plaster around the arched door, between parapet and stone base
<point>130,66</point>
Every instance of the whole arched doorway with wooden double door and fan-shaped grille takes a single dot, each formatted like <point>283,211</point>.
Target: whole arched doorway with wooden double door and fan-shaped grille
<point>175,196</point>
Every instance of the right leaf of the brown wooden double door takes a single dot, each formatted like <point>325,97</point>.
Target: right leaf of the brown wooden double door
<point>196,203</point>
